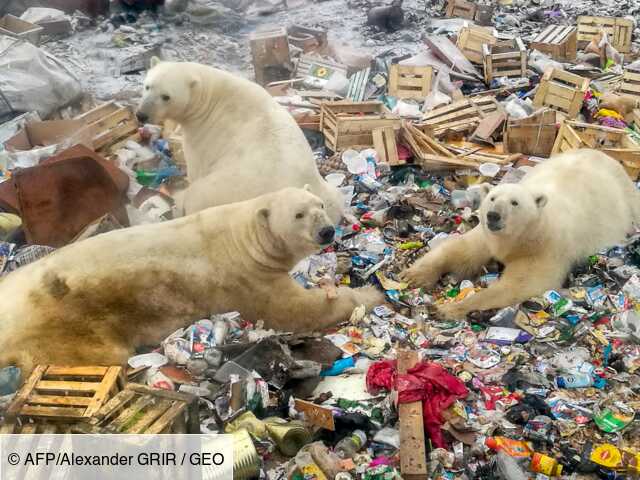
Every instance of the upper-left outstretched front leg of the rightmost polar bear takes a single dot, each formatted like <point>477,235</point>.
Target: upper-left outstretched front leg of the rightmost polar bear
<point>463,256</point>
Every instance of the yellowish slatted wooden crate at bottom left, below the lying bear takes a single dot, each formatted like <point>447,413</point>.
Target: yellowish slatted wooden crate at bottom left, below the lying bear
<point>62,394</point>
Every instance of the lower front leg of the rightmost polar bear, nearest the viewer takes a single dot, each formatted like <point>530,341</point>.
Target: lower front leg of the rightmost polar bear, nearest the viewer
<point>521,280</point>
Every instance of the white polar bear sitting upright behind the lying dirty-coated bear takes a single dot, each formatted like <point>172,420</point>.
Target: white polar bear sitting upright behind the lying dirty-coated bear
<point>238,141</point>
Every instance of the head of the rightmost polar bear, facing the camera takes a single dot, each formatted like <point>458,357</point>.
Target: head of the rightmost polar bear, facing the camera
<point>511,210</point>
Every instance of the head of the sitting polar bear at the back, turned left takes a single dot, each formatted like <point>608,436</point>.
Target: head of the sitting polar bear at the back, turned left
<point>168,90</point>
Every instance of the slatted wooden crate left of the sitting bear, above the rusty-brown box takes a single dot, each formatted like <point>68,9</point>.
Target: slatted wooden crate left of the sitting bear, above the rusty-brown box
<point>109,123</point>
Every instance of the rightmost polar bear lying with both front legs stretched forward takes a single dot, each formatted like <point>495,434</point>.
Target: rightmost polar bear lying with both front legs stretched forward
<point>563,210</point>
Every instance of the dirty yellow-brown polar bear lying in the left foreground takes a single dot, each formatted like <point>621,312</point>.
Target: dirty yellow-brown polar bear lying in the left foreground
<point>95,301</point>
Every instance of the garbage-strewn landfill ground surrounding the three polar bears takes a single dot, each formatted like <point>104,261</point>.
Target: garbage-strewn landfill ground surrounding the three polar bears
<point>546,387</point>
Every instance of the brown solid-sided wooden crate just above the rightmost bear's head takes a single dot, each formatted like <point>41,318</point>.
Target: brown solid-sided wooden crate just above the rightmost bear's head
<point>534,135</point>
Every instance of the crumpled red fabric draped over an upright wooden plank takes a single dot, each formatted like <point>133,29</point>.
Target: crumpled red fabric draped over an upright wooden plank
<point>426,382</point>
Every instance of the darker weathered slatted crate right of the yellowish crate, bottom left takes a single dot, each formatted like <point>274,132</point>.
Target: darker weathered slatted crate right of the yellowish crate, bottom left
<point>140,409</point>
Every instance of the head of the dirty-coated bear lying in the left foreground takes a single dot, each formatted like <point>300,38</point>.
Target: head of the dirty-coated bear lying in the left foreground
<point>296,222</point>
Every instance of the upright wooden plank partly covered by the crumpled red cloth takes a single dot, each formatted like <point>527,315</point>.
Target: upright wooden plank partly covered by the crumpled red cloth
<point>413,464</point>
